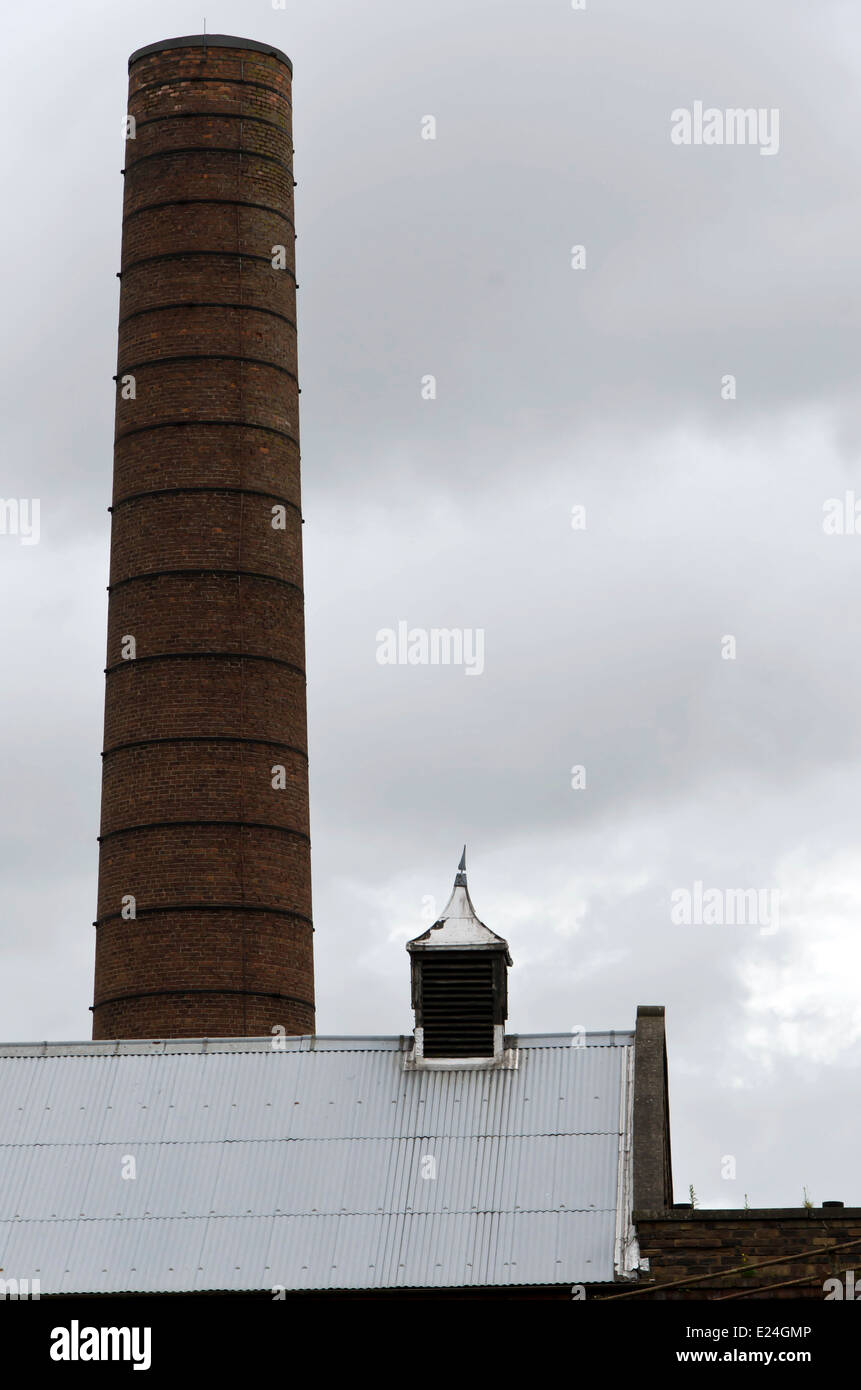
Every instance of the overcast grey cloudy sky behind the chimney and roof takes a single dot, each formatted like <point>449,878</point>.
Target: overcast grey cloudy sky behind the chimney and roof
<point>557,387</point>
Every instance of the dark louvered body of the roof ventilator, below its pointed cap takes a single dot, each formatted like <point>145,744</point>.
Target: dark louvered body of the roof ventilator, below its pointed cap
<point>458,1007</point>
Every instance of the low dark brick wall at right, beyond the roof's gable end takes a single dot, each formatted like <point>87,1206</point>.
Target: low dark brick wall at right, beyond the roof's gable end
<point>699,1243</point>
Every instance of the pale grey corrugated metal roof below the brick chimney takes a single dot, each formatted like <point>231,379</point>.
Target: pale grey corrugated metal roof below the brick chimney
<point>304,1166</point>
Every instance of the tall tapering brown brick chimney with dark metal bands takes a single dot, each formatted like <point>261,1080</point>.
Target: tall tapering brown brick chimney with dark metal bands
<point>205,917</point>
